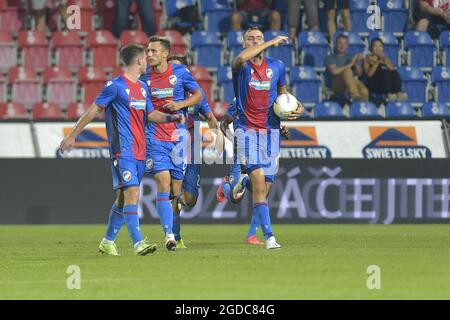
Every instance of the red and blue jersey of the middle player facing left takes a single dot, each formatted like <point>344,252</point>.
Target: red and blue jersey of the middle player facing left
<point>170,85</point>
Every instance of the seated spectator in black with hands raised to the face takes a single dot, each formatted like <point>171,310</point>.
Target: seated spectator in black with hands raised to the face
<point>383,78</point>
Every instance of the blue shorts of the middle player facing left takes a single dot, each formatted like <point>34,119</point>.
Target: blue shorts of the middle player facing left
<point>166,156</point>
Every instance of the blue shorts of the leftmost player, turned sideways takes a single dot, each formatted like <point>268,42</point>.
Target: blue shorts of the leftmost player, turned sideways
<point>127,172</point>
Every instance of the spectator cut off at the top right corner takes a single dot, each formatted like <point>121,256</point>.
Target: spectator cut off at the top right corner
<point>431,12</point>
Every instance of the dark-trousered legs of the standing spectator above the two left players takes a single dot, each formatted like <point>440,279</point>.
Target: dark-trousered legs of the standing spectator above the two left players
<point>146,12</point>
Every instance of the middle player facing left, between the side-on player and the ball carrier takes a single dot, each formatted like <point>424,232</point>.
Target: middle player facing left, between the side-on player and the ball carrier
<point>168,84</point>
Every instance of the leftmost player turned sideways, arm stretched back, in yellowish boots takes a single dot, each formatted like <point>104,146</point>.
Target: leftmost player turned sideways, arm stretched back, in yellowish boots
<point>127,104</point>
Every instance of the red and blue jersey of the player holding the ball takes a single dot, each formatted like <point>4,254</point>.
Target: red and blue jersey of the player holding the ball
<point>256,88</point>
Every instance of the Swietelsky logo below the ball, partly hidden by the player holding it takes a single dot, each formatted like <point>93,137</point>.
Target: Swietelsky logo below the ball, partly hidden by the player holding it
<point>303,143</point>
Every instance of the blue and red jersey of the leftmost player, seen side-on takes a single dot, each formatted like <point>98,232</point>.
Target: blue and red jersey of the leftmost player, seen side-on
<point>126,105</point>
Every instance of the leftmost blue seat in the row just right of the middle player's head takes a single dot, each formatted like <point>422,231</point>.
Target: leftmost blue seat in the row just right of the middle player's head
<point>208,49</point>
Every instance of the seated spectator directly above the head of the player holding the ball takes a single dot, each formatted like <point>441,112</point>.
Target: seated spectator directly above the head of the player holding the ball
<point>255,13</point>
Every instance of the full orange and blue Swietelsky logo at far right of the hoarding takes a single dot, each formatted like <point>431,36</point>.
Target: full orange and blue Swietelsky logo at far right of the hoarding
<point>394,143</point>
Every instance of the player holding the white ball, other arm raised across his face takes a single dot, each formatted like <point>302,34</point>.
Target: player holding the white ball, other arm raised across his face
<point>257,82</point>
